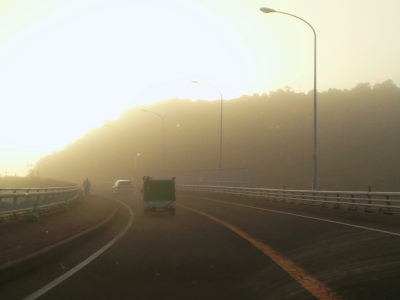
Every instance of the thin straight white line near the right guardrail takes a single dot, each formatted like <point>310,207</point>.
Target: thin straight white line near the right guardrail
<point>303,216</point>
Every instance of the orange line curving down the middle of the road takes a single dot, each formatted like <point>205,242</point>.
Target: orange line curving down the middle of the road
<point>310,283</point>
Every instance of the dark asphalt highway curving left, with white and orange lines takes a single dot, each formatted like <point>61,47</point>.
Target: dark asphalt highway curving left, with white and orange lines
<point>223,248</point>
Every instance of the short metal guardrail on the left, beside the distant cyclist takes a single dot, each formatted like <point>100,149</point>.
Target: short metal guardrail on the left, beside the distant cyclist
<point>31,201</point>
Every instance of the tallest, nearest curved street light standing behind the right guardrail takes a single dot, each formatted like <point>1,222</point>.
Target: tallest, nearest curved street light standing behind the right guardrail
<point>314,184</point>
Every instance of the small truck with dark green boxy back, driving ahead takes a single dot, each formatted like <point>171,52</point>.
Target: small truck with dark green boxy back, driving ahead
<point>159,195</point>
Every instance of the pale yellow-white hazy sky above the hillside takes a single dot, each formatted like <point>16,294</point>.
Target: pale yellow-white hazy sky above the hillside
<point>66,66</point>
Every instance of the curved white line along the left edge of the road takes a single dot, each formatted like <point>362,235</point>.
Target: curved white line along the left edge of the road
<point>81,265</point>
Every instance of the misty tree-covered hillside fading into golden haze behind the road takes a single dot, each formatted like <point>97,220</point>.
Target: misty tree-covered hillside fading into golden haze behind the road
<point>269,134</point>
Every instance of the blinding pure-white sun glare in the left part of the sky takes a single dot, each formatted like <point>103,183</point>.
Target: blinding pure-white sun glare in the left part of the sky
<point>78,67</point>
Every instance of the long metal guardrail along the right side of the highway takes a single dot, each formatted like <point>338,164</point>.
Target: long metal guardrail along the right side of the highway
<point>381,202</point>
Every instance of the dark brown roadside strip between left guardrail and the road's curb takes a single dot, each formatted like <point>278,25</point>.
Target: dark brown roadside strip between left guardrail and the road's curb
<point>23,240</point>
